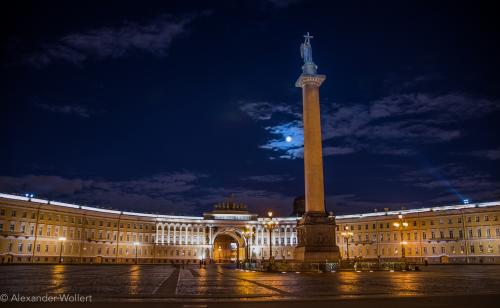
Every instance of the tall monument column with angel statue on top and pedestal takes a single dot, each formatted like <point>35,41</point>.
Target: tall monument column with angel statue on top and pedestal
<point>315,230</point>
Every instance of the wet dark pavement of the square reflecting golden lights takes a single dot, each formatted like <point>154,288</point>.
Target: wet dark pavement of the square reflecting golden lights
<point>225,283</point>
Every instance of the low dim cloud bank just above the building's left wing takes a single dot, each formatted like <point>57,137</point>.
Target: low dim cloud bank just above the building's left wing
<point>159,193</point>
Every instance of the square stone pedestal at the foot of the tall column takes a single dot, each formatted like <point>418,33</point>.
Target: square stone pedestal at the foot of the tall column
<point>316,235</point>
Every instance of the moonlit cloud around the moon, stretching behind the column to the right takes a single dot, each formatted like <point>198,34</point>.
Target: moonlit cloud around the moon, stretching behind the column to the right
<point>392,125</point>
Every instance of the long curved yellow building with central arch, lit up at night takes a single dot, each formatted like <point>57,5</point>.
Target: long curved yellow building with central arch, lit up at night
<point>40,231</point>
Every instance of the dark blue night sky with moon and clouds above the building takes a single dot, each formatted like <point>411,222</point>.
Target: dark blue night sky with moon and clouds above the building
<point>172,106</point>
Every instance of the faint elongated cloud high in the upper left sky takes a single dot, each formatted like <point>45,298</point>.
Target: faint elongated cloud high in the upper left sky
<point>113,42</point>
